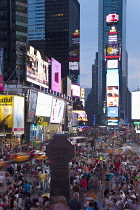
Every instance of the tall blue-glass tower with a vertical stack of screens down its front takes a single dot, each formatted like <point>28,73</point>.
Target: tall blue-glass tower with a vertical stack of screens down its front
<point>112,62</point>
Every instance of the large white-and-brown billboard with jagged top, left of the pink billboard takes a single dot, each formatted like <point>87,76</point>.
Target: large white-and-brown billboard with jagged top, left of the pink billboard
<point>36,68</point>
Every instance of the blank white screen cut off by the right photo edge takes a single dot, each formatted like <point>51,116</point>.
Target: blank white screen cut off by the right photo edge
<point>135,105</point>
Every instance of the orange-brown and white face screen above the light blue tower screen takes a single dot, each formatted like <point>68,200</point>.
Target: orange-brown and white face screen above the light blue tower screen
<point>112,96</point>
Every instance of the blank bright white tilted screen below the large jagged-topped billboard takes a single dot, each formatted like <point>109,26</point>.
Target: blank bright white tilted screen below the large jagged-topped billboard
<point>44,104</point>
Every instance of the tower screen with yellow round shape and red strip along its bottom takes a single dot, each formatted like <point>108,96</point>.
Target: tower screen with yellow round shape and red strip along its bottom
<point>112,51</point>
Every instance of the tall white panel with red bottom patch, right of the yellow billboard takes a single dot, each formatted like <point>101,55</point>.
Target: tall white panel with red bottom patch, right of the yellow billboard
<point>18,115</point>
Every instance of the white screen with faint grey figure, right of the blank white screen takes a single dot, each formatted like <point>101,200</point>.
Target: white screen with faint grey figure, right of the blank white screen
<point>57,111</point>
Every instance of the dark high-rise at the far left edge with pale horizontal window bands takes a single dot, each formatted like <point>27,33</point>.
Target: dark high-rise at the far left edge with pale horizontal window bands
<point>13,37</point>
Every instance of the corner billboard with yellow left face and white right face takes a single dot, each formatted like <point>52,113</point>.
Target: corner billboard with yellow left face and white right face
<point>12,114</point>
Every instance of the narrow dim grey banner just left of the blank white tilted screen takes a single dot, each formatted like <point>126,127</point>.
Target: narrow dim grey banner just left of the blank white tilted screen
<point>32,106</point>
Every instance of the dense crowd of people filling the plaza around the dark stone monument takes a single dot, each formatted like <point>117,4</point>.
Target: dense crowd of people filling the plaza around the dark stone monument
<point>110,182</point>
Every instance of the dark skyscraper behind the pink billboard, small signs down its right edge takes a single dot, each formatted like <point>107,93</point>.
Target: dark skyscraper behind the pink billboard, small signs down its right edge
<point>63,35</point>
